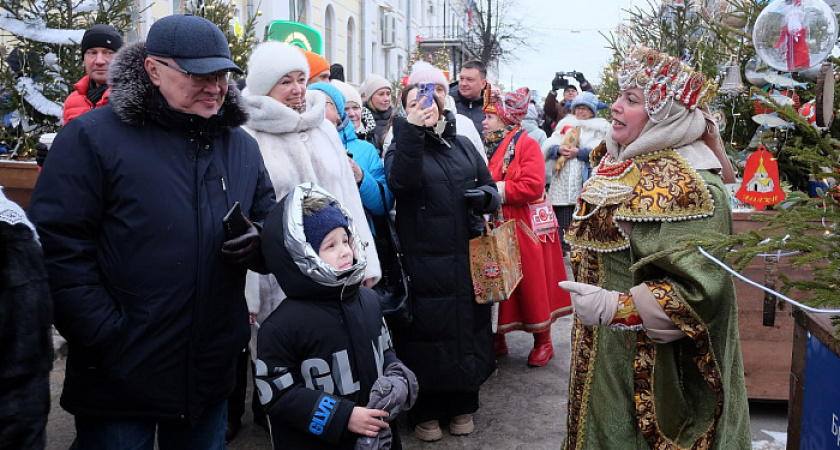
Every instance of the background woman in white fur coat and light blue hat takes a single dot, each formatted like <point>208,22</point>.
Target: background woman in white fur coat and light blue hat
<point>567,183</point>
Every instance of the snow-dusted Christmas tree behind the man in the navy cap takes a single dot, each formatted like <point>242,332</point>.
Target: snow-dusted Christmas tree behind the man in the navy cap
<point>42,61</point>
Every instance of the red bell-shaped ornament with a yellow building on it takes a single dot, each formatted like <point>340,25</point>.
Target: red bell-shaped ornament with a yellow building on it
<point>761,180</point>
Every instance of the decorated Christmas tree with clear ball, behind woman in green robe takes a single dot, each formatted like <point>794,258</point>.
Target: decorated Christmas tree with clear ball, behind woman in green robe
<point>778,106</point>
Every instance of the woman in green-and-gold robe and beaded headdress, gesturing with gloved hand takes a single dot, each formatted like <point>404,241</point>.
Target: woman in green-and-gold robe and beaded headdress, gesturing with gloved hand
<point>656,353</point>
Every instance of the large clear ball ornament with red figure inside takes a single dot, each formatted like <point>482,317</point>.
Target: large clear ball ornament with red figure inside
<point>792,35</point>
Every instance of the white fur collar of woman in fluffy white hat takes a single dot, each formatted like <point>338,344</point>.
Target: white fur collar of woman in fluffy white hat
<point>270,116</point>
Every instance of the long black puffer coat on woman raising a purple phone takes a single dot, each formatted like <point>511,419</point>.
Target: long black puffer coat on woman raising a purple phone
<point>449,344</point>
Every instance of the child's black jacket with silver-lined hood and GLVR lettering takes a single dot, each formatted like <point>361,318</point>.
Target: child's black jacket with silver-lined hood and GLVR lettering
<point>320,351</point>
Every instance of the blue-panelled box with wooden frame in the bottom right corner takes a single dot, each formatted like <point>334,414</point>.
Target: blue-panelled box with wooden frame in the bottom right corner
<point>814,413</point>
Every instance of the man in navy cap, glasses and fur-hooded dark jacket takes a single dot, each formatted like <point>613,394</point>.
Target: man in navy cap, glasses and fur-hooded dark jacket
<point>147,289</point>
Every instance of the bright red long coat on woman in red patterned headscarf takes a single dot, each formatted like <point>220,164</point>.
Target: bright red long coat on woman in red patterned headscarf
<point>538,301</point>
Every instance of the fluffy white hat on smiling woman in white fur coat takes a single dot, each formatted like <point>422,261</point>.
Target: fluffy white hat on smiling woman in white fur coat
<point>269,62</point>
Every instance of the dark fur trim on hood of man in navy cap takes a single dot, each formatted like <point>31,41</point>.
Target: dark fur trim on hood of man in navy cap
<point>137,101</point>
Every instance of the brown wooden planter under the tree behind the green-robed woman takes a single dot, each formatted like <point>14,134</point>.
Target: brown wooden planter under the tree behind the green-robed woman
<point>766,350</point>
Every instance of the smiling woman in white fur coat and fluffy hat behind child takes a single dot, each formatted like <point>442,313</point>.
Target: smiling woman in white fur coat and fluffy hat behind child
<point>298,145</point>
